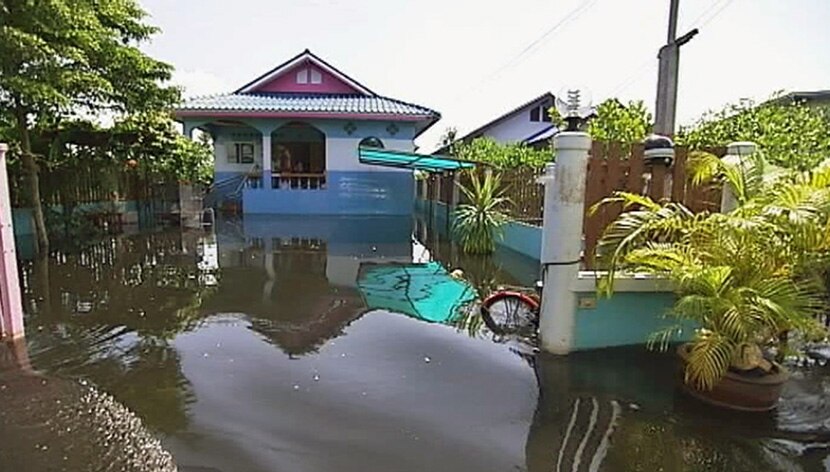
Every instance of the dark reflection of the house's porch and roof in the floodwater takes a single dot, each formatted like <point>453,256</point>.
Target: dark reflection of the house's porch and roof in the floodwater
<point>282,286</point>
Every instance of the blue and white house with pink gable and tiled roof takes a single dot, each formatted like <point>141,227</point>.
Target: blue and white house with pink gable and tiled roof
<point>287,142</point>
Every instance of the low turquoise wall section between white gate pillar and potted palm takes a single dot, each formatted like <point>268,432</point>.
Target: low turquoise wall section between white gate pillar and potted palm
<point>626,318</point>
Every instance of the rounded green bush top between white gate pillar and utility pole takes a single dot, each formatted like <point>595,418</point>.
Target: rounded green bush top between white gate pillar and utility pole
<point>616,121</point>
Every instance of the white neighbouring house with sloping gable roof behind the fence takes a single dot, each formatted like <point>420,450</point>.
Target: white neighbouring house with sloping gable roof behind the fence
<point>529,123</point>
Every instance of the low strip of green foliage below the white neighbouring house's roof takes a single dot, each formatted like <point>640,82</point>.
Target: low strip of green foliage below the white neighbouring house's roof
<point>502,156</point>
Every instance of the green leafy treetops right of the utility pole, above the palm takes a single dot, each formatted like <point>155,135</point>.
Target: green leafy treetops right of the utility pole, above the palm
<point>793,135</point>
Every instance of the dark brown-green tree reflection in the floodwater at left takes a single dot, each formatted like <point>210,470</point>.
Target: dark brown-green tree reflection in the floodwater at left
<point>108,314</point>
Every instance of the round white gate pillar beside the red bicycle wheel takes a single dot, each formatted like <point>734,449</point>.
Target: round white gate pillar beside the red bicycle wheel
<point>562,239</point>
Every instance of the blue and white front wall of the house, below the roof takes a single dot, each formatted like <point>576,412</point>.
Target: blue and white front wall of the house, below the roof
<point>351,188</point>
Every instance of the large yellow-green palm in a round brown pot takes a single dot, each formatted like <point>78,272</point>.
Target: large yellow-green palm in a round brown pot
<point>742,277</point>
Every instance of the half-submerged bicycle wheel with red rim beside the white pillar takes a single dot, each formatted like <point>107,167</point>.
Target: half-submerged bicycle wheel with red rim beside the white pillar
<point>510,312</point>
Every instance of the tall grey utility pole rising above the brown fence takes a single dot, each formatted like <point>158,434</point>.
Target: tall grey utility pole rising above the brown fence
<point>669,56</point>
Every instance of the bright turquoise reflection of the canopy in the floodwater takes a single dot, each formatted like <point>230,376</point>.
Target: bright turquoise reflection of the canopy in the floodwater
<point>423,291</point>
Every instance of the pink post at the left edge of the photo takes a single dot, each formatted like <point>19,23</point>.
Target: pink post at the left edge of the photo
<point>11,306</point>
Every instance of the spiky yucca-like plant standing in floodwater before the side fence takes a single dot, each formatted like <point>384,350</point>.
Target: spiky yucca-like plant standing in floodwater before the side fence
<point>478,222</point>
